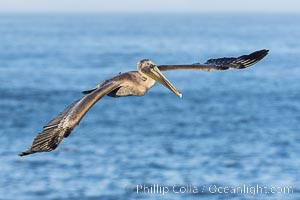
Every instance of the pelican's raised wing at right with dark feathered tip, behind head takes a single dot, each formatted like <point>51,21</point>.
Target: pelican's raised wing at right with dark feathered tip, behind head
<point>221,63</point>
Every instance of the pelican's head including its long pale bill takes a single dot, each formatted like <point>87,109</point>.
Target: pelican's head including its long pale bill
<point>149,69</point>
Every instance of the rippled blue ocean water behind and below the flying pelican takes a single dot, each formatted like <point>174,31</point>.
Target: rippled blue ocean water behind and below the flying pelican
<point>234,129</point>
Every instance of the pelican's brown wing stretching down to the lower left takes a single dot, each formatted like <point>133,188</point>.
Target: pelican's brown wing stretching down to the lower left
<point>61,126</point>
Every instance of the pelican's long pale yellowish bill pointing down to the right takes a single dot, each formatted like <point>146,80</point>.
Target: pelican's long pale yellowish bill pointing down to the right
<point>156,74</point>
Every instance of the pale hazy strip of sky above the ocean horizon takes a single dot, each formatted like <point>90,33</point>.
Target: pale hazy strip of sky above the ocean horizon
<point>216,6</point>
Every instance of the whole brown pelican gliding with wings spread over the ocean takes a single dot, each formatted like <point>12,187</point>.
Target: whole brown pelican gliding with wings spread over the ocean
<point>133,83</point>
